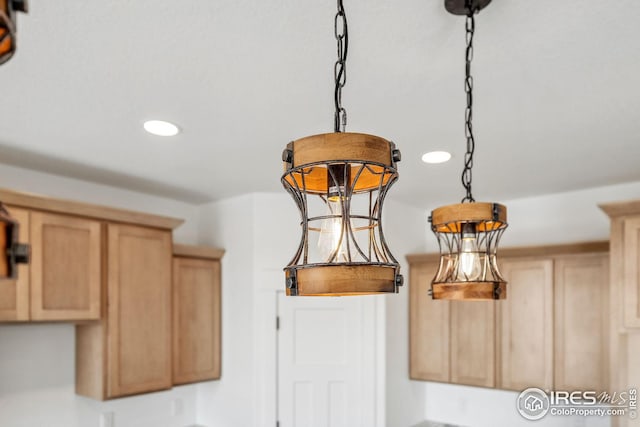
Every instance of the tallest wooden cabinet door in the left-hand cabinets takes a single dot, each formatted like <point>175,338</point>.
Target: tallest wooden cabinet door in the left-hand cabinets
<point>139,314</point>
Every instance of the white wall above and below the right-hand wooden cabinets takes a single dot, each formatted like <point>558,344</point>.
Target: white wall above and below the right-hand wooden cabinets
<point>557,218</point>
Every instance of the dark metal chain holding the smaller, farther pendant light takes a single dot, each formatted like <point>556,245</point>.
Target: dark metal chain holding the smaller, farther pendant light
<point>468,87</point>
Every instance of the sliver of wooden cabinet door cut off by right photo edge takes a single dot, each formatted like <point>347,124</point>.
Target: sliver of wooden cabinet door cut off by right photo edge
<point>631,272</point>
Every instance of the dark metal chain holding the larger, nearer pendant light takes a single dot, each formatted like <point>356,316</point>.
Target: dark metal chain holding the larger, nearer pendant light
<point>340,67</point>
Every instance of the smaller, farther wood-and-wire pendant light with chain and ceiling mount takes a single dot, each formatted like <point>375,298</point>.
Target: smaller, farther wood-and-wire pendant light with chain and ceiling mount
<point>468,233</point>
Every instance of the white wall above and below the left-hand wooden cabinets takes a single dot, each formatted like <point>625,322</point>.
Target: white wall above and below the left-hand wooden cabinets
<point>37,360</point>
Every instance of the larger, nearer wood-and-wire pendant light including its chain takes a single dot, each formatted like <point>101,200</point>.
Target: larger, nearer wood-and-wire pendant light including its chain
<point>339,182</point>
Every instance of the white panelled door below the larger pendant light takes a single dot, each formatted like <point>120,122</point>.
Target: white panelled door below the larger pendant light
<point>320,362</point>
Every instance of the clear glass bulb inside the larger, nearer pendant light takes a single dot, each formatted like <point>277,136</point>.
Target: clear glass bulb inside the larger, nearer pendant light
<point>333,234</point>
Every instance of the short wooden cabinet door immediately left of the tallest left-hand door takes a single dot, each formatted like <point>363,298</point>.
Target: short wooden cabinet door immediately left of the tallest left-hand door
<point>65,267</point>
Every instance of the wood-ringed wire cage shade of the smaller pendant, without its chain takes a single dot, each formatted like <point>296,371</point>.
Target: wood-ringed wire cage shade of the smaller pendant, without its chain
<point>468,236</point>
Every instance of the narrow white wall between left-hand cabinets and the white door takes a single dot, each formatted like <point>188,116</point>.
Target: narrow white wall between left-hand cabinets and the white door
<point>229,402</point>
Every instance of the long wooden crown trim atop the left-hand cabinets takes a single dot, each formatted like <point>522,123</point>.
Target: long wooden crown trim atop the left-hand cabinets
<point>68,207</point>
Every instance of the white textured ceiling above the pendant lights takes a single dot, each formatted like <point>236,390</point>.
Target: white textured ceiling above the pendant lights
<point>557,98</point>
